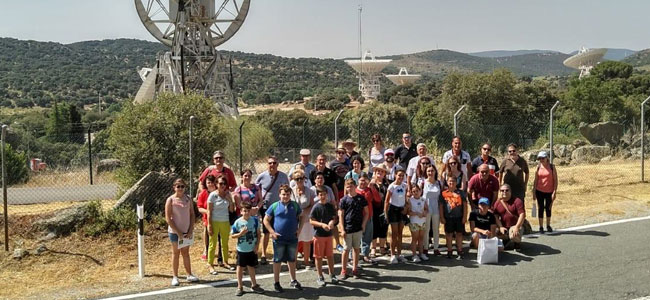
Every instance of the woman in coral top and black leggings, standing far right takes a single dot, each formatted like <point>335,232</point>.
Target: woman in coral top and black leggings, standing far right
<point>544,189</point>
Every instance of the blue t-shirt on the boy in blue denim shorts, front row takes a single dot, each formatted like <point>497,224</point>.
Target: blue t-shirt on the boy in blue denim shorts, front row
<point>285,220</point>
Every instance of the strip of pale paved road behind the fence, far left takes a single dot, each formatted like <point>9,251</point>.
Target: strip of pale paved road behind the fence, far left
<point>54,194</point>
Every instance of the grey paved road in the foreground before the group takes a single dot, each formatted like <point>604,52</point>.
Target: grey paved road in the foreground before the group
<point>607,262</point>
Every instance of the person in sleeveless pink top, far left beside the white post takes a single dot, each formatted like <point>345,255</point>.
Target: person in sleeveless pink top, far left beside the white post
<point>179,214</point>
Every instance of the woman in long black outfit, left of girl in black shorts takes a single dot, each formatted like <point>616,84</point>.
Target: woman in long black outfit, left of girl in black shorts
<point>380,226</point>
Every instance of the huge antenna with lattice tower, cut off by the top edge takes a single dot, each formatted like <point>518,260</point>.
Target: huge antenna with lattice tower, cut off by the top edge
<point>192,29</point>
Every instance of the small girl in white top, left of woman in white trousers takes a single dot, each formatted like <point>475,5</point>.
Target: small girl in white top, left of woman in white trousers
<point>418,211</point>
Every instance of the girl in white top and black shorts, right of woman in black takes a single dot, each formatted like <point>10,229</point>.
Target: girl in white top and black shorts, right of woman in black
<point>394,208</point>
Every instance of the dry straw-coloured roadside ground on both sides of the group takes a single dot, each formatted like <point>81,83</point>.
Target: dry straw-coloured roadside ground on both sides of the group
<point>78,267</point>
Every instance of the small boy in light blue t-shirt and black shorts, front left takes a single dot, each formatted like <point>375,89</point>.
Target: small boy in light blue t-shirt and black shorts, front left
<point>246,230</point>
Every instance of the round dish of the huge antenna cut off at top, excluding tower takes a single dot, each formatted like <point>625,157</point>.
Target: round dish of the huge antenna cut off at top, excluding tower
<point>222,21</point>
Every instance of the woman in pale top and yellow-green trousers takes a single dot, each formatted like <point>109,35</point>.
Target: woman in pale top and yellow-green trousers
<point>220,204</point>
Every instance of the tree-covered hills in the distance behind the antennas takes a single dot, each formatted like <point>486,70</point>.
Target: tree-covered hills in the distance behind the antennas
<point>35,73</point>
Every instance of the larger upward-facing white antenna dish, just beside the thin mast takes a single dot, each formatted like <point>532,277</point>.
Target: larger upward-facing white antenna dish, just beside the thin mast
<point>369,69</point>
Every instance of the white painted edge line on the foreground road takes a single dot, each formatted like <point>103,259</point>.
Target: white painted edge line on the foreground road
<point>265,276</point>
